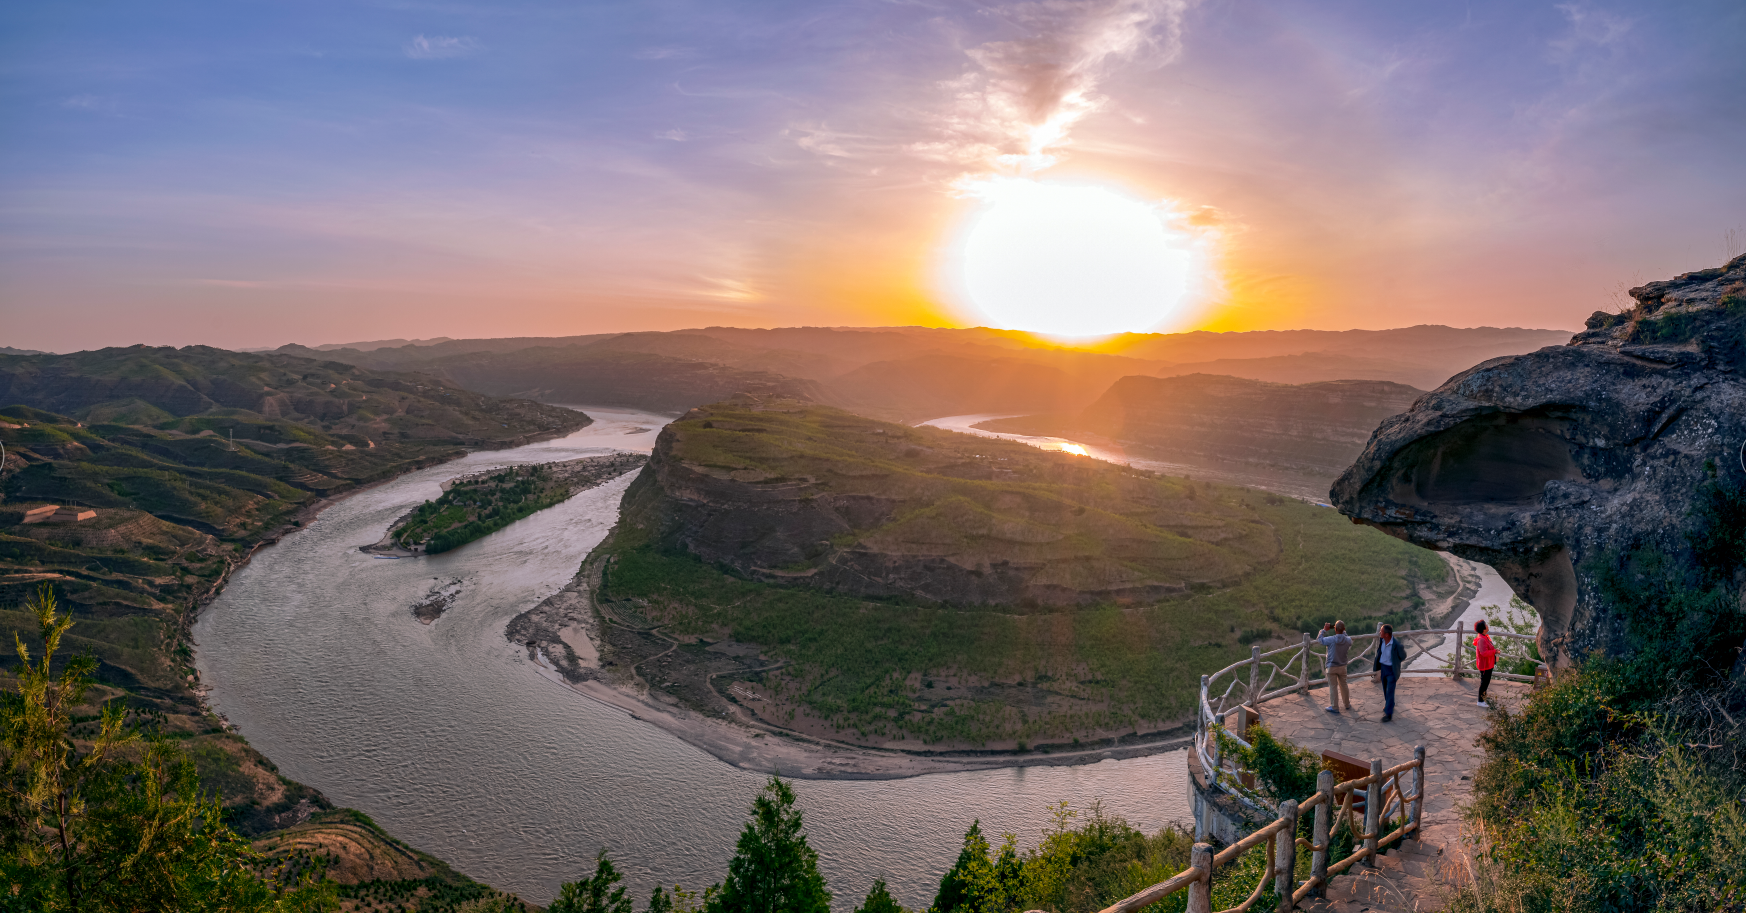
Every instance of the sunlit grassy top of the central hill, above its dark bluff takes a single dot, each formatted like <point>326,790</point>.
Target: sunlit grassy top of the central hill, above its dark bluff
<point>972,502</point>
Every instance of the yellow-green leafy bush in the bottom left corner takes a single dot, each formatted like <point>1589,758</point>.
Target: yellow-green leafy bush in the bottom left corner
<point>116,821</point>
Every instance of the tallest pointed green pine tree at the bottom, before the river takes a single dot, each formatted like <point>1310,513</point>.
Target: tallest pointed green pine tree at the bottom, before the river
<point>773,868</point>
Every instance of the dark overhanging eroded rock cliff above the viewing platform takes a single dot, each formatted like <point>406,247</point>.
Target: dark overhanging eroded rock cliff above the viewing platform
<point>1555,463</point>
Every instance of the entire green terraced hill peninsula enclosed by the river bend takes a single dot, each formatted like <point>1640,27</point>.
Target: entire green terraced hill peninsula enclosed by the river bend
<point>914,589</point>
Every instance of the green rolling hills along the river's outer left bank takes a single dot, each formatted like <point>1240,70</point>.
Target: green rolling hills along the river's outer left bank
<point>142,439</point>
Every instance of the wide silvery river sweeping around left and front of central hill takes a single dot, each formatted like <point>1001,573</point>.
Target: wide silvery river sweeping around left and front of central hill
<point>451,739</point>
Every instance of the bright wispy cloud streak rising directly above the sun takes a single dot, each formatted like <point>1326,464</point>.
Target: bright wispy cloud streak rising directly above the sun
<point>1019,102</point>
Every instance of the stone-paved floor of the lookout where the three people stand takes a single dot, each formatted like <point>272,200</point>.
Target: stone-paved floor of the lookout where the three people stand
<point>1436,713</point>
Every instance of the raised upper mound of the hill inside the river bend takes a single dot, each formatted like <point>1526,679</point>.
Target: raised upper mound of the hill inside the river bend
<point>821,498</point>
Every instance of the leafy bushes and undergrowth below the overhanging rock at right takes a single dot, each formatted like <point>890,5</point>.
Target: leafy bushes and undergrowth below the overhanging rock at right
<point>1621,788</point>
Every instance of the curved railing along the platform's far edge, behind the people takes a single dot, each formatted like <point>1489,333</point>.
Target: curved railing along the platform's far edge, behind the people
<point>1291,669</point>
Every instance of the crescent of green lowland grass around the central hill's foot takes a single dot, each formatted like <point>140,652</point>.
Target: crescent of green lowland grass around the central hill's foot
<point>865,666</point>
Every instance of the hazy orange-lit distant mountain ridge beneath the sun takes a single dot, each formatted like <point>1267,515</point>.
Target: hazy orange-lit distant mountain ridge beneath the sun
<point>916,373</point>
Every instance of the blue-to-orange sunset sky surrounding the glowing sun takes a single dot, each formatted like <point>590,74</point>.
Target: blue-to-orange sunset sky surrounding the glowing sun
<point>249,174</point>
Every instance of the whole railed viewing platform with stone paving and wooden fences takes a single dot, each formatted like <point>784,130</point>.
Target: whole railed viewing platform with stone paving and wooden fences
<point>1384,820</point>
